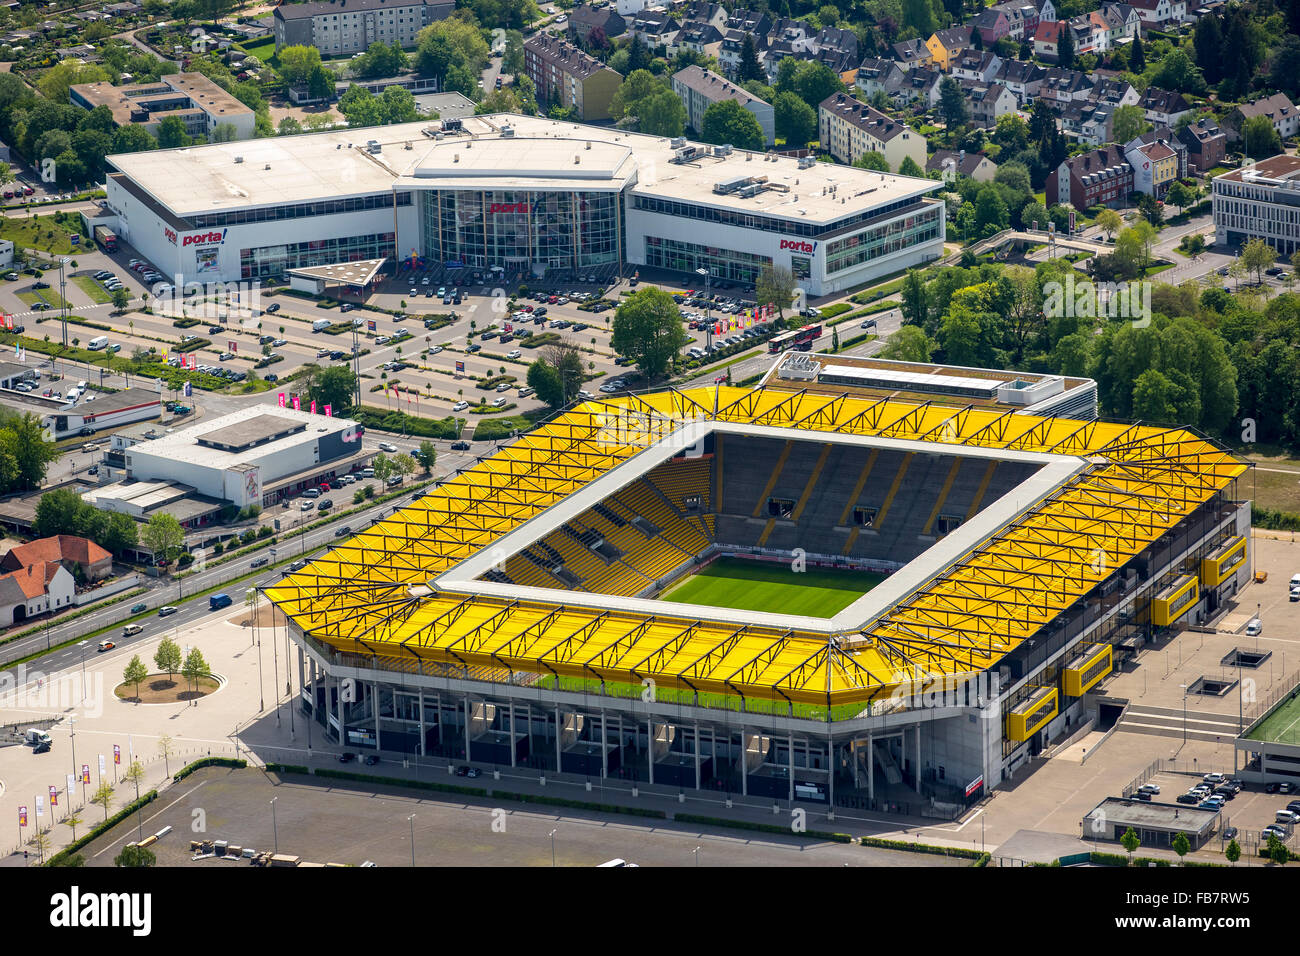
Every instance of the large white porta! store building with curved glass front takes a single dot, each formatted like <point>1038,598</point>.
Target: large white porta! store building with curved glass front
<point>525,196</point>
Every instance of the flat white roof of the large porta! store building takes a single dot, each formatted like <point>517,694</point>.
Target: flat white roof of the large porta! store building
<point>540,154</point>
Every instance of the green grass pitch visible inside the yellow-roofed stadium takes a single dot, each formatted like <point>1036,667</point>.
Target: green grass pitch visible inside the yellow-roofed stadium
<point>761,586</point>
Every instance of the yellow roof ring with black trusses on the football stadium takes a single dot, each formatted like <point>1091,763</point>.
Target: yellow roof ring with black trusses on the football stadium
<point>375,596</point>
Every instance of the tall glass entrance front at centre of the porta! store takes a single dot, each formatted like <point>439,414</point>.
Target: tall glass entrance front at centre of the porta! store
<point>514,228</point>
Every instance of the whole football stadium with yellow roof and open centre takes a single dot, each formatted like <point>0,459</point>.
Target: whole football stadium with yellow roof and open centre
<point>812,595</point>
